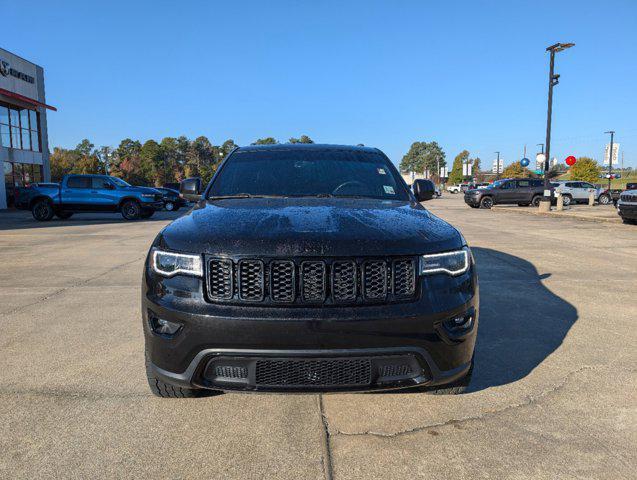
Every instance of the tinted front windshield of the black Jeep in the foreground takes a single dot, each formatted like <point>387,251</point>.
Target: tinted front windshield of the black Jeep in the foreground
<point>300,173</point>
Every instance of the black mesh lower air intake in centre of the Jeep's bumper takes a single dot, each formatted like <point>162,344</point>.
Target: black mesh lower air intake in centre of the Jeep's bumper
<point>316,372</point>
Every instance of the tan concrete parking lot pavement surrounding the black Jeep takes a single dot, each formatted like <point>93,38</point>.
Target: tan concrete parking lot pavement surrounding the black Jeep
<point>554,393</point>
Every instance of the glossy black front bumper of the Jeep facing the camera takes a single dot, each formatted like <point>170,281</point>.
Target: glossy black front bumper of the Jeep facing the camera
<point>388,346</point>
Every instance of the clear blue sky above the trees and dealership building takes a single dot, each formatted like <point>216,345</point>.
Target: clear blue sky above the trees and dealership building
<point>467,74</point>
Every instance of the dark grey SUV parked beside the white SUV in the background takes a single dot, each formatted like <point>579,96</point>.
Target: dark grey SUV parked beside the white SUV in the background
<point>521,191</point>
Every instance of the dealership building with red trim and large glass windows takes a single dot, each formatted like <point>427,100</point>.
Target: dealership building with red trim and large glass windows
<point>24,146</point>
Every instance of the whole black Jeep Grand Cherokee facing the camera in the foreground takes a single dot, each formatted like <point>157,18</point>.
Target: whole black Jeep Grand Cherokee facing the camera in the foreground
<point>308,268</point>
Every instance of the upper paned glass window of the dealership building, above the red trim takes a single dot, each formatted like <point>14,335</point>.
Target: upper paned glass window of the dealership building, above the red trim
<point>19,128</point>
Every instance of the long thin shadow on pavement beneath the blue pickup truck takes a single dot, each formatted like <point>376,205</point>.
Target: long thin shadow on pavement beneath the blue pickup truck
<point>22,219</point>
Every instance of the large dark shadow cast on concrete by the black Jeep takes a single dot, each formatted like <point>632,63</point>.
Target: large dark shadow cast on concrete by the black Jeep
<point>521,321</point>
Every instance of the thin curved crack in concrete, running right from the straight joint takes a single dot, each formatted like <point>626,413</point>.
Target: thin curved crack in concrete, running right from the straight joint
<point>530,400</point>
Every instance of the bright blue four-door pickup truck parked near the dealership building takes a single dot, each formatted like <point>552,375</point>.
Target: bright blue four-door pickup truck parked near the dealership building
<point>91,193</point>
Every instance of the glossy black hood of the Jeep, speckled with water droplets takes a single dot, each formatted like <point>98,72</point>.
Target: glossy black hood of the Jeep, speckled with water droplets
<point>288,227</point>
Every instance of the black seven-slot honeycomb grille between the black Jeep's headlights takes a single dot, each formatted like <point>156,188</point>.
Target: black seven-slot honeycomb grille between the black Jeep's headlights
<point>331,281</point>
